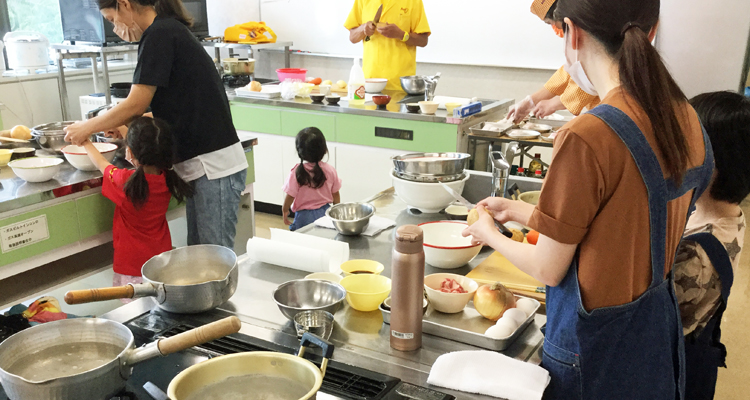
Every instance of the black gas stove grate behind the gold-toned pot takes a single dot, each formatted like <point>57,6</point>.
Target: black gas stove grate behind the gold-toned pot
<point>337,381</point>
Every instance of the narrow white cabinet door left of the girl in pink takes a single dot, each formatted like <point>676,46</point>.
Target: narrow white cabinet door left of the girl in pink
<point>268,169</point>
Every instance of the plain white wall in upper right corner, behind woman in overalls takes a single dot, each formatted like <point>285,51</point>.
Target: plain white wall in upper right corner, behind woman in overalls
<point>704,42</point>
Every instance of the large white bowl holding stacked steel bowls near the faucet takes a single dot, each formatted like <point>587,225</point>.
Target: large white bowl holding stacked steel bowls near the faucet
<point>427,197</point>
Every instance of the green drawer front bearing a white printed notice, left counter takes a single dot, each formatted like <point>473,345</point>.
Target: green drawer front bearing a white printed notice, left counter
<point>62,224</point>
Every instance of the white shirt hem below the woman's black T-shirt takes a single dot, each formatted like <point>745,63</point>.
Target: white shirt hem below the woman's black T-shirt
<point>215,165</point>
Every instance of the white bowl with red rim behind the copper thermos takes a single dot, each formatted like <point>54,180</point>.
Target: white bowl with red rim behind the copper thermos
<point>444,247</point>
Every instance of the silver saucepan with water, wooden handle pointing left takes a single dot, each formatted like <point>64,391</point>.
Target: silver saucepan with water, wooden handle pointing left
<point>186,280</point>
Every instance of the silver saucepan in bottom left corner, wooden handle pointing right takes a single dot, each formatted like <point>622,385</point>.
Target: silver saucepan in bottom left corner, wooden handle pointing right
<point>86,358</point>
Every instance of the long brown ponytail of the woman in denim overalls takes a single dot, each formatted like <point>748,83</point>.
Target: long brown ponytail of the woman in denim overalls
<point>645,77</point>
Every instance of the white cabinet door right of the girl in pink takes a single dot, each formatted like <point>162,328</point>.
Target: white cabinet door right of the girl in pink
<point>365,171</point>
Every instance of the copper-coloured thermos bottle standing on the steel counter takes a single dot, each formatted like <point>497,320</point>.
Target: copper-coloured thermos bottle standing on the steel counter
<point>407,293</point>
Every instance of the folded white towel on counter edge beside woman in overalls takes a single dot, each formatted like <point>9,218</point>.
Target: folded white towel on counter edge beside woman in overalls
<point>489,373</point>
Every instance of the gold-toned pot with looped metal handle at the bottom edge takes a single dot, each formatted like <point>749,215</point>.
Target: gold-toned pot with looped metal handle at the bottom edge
<point>264,374</point>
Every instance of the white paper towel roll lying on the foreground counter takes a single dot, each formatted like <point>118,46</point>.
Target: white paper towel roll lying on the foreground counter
<point>288,255</point>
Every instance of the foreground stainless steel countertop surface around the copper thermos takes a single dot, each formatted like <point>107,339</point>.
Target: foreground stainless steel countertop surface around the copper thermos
<point>361,339</point>
